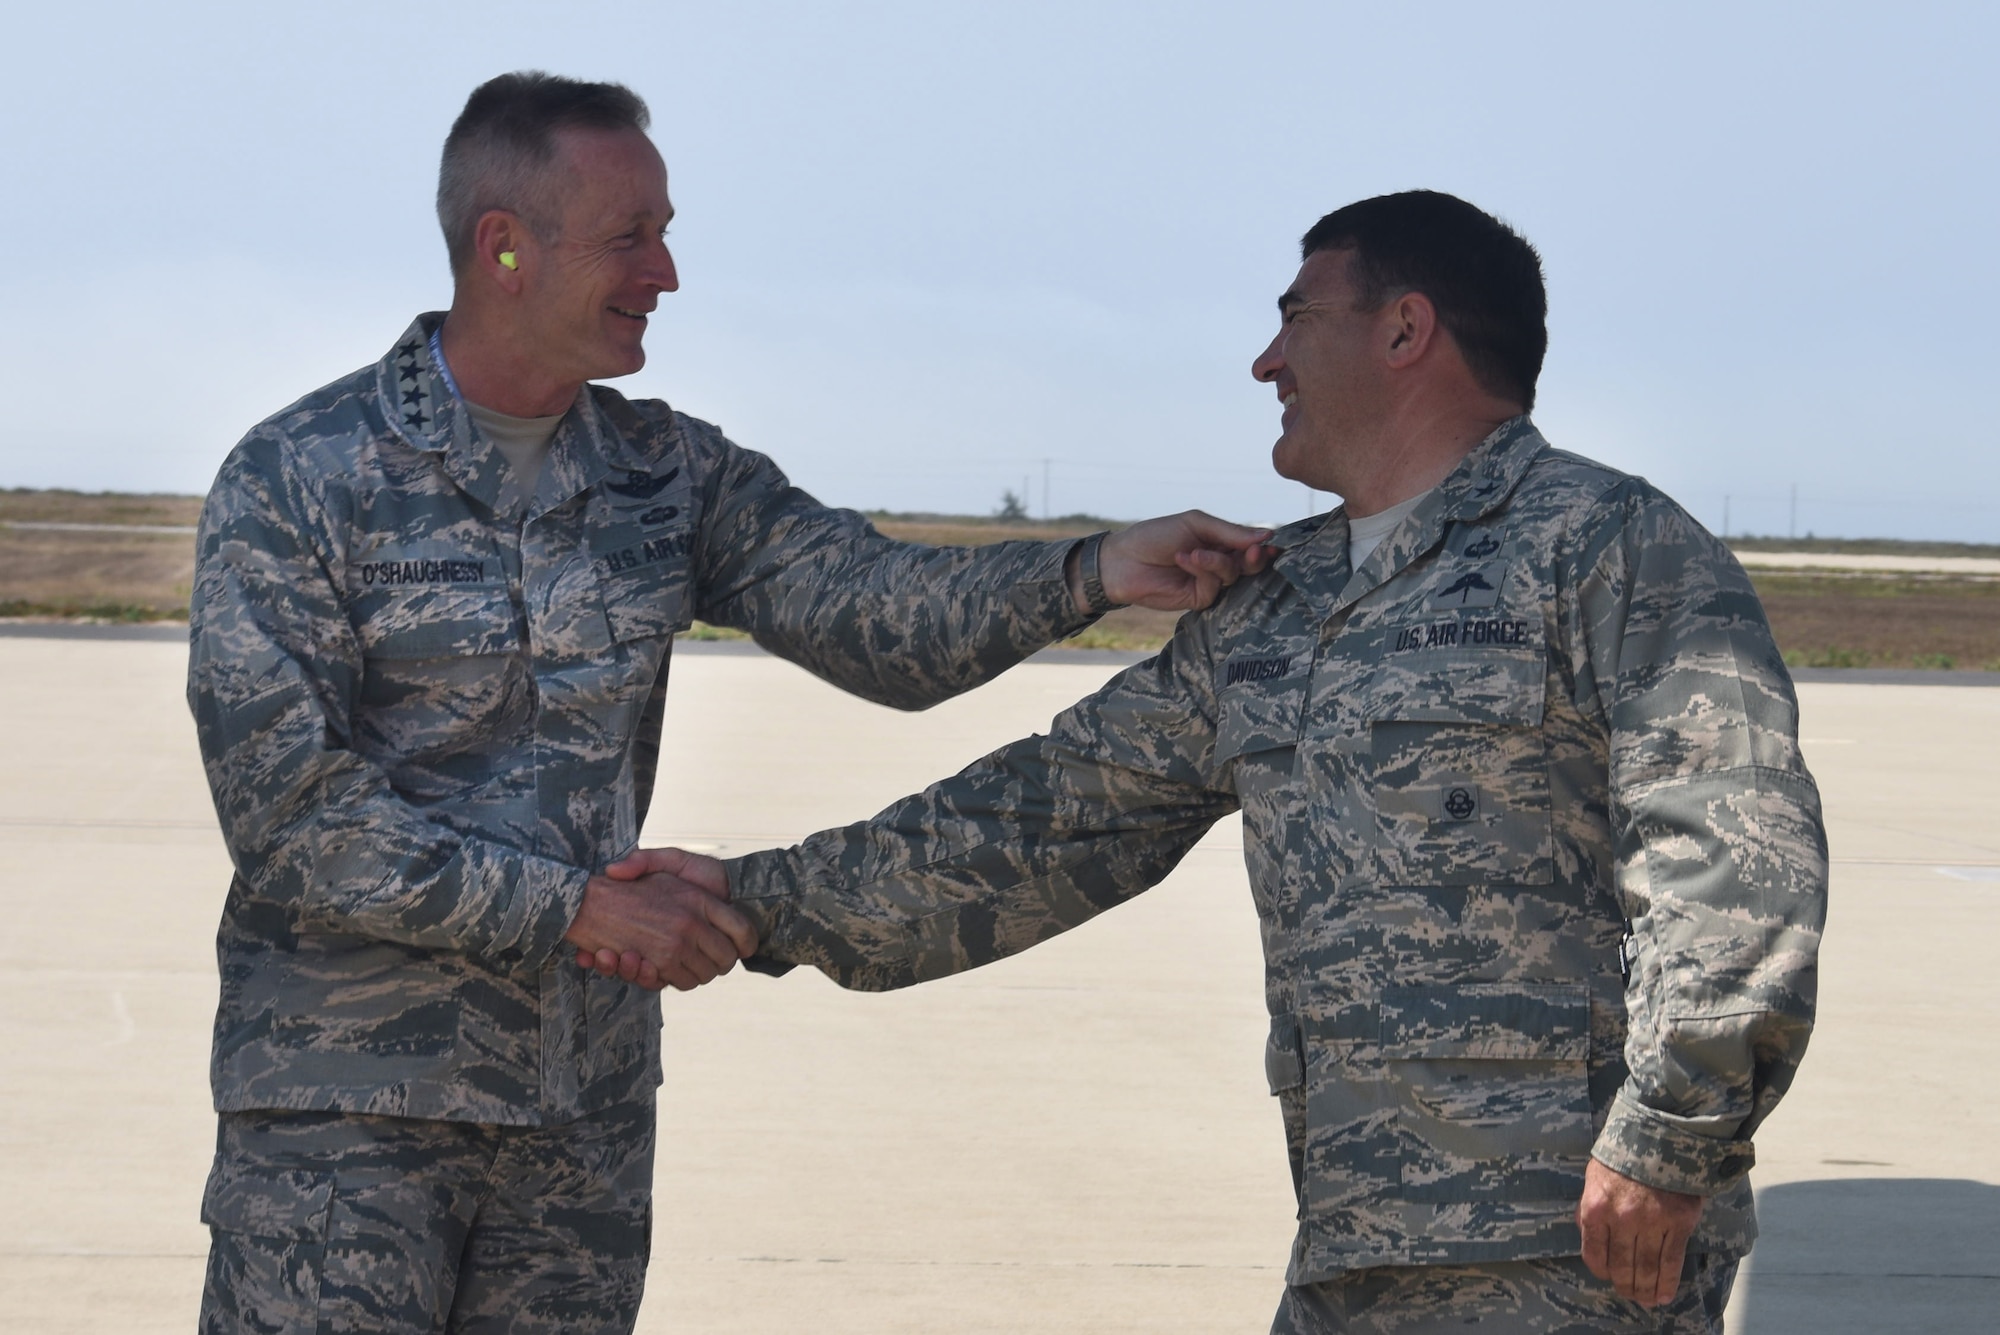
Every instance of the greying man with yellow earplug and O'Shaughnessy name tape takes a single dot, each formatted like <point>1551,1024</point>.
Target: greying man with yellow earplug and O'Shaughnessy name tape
<point>431,633</point>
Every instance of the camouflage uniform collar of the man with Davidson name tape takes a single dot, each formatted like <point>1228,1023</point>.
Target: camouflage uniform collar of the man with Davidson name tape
<point>1481,485</point>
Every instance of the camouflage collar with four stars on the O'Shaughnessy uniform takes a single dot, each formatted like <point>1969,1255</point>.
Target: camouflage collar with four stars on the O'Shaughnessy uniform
<point>425,411</point>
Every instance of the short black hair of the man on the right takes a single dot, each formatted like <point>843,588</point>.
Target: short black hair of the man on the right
<point>1481,275</point>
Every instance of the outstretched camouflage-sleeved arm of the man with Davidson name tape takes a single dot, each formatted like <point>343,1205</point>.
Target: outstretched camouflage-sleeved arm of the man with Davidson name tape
<point>1017,848</point>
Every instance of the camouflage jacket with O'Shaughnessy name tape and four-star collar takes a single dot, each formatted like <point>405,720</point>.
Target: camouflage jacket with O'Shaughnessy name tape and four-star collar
<point>431,706</point>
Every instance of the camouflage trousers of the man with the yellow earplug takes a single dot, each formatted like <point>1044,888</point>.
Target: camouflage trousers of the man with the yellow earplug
<point>343,1222</point>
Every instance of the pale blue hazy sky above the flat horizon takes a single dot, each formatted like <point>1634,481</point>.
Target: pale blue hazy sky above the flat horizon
<point>927,247</point>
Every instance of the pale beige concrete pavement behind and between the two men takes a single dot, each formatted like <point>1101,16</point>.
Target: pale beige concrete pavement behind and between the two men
<point>1077,1140</point>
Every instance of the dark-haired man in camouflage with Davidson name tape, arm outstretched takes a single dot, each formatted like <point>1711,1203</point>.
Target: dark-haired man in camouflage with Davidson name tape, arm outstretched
<point>1539,864</point>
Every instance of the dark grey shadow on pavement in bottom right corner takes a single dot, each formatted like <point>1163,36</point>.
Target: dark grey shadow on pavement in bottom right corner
<point>1875,1254</point>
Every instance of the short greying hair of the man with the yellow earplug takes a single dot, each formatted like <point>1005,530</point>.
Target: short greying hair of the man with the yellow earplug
<point>503,145</point>
